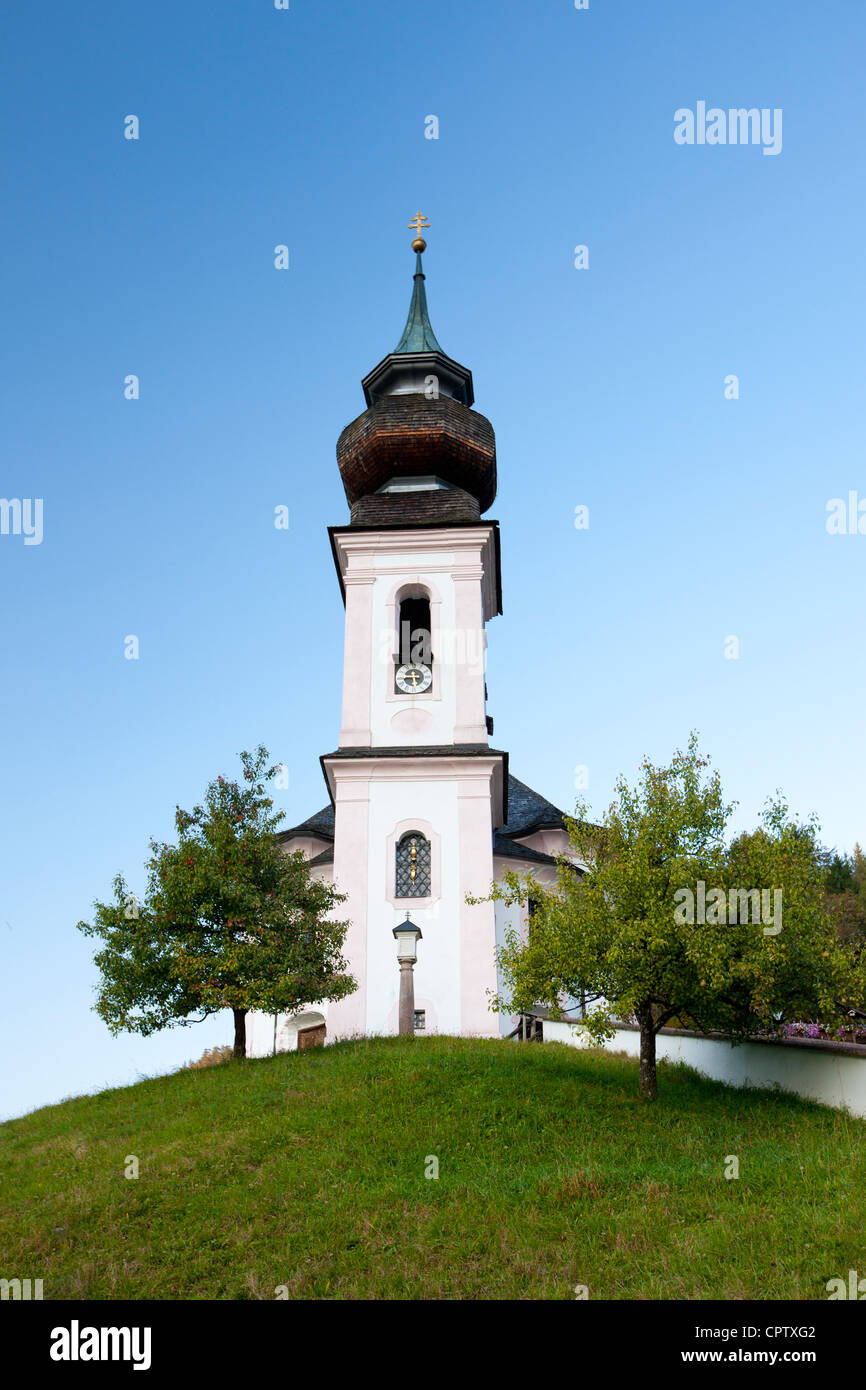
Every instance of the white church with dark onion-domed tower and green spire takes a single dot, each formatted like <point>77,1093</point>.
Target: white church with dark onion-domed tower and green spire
<point>423,812</point>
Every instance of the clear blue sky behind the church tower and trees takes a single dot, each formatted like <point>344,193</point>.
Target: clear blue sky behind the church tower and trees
<point>605,387</point>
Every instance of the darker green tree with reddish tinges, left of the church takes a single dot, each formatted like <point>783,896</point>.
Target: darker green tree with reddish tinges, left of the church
<point>229,922</point>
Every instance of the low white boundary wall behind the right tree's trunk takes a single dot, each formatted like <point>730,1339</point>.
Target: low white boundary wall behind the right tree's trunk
<point>819,1074</point>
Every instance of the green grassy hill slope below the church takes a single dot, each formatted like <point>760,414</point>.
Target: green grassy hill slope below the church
<point>308,1171</point>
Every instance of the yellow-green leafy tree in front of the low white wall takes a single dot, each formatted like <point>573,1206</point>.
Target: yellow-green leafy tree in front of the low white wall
<point>669,924</point>
